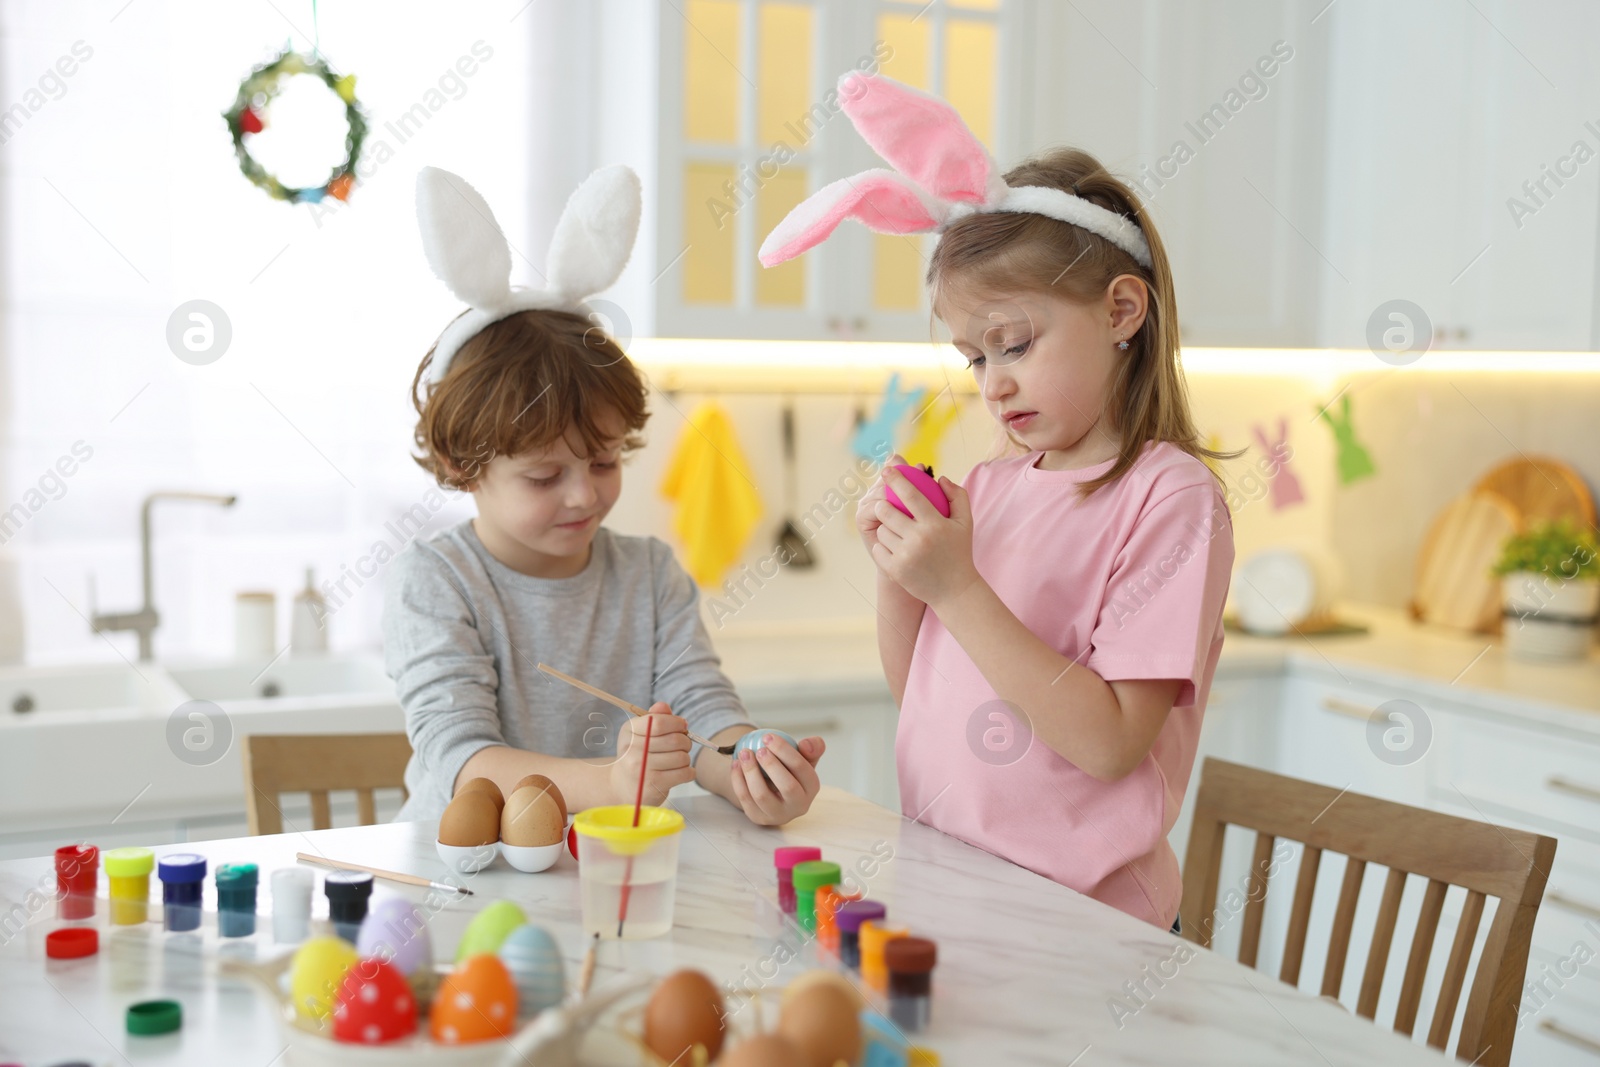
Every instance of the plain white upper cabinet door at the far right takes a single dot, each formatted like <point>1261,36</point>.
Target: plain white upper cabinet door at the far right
<point>1465,178</point>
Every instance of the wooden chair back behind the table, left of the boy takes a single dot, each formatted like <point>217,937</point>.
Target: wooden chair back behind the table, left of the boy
<point>318,765</point>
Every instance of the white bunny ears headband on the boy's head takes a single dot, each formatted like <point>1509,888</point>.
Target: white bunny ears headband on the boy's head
<point>470,254</point>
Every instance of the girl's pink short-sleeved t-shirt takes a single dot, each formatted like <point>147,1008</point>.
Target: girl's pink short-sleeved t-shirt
<point>1130,585</point>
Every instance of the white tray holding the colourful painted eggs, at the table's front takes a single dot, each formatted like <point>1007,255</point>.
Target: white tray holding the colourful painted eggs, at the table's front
<point>551,1039</point>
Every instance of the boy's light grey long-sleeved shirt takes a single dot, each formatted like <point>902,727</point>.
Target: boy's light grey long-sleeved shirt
<point>465,634</point>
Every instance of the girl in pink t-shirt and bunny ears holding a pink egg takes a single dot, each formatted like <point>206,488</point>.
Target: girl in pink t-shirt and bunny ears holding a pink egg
<point>1052,642</point>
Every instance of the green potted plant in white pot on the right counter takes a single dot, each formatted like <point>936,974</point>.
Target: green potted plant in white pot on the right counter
<point>1551,591</point>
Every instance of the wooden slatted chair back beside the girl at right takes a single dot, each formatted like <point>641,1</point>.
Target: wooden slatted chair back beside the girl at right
<point>1449,852</point>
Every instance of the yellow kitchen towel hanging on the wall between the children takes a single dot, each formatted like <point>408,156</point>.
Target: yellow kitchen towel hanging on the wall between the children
<point>716,494</point>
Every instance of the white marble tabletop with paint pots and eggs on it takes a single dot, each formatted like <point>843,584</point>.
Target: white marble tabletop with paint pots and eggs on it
<point>1028,970</point>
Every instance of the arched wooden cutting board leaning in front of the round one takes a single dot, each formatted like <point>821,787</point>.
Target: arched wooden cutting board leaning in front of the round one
<point>1454,585</point>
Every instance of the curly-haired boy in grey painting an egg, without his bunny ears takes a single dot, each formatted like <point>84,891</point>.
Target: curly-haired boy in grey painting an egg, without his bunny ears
<point>534,417</point>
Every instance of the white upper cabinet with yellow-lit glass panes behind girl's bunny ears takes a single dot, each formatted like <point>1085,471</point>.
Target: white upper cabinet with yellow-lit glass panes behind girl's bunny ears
<point>751,126</point>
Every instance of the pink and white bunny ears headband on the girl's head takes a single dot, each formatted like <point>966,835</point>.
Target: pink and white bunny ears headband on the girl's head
<point>942,174</point>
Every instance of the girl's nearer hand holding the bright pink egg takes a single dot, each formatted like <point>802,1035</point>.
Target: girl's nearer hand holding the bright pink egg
<point>927,554</point>
